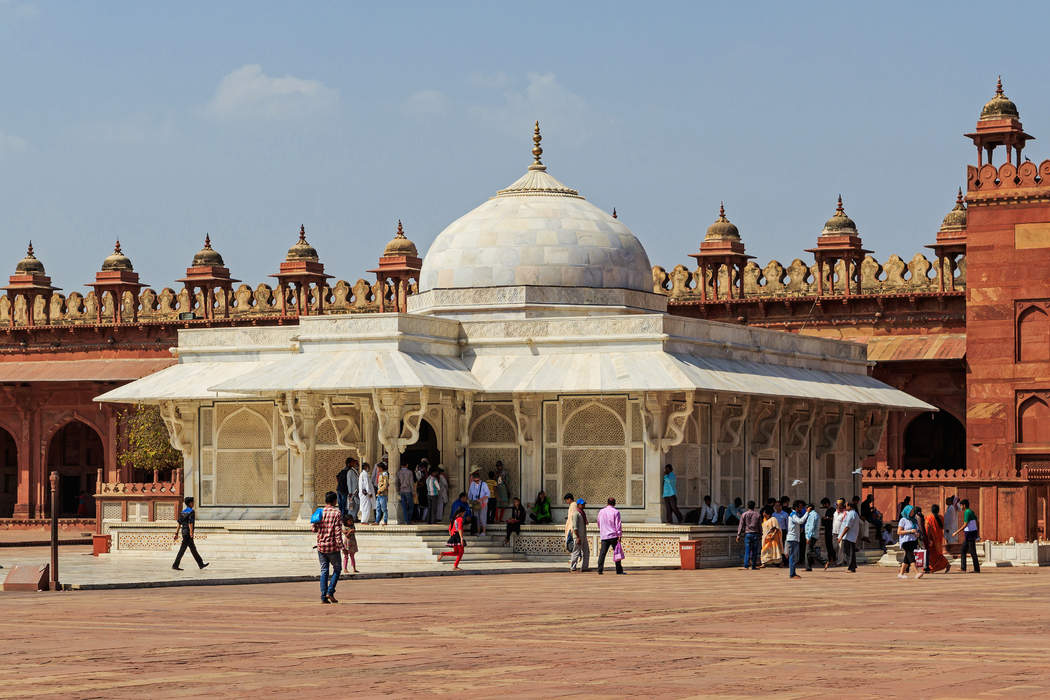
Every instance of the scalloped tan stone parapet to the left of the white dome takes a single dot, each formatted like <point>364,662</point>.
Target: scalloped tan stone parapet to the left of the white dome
<point>167,306</point>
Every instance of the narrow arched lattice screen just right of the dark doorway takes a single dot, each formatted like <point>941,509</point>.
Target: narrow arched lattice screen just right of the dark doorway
<point>494,437</point>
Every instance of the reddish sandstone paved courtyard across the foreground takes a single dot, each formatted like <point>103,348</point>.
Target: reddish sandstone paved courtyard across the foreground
<point>652,634</point>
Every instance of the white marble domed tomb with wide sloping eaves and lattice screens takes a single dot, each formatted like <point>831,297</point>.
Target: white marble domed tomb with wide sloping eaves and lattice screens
<point>534,338</point>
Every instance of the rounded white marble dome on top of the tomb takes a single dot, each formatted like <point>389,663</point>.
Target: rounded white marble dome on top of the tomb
<point>537,232</point>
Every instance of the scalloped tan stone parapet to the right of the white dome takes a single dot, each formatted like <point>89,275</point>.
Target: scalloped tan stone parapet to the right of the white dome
<point>917,277</point>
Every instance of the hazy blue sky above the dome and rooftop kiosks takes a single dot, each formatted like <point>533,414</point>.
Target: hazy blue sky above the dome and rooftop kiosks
<point>157,123</point>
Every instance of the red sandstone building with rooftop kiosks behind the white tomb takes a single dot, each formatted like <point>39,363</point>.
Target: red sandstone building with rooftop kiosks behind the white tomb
<point>968,331</point>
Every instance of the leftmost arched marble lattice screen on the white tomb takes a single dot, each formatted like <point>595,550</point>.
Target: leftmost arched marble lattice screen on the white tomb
<point>242,461</point>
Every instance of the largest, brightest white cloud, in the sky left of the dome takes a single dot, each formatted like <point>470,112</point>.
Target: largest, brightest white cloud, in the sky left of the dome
<point>247,93</point>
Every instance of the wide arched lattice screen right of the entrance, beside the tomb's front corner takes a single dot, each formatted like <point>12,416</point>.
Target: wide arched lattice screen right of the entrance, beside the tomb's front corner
<point>594,449</point>
